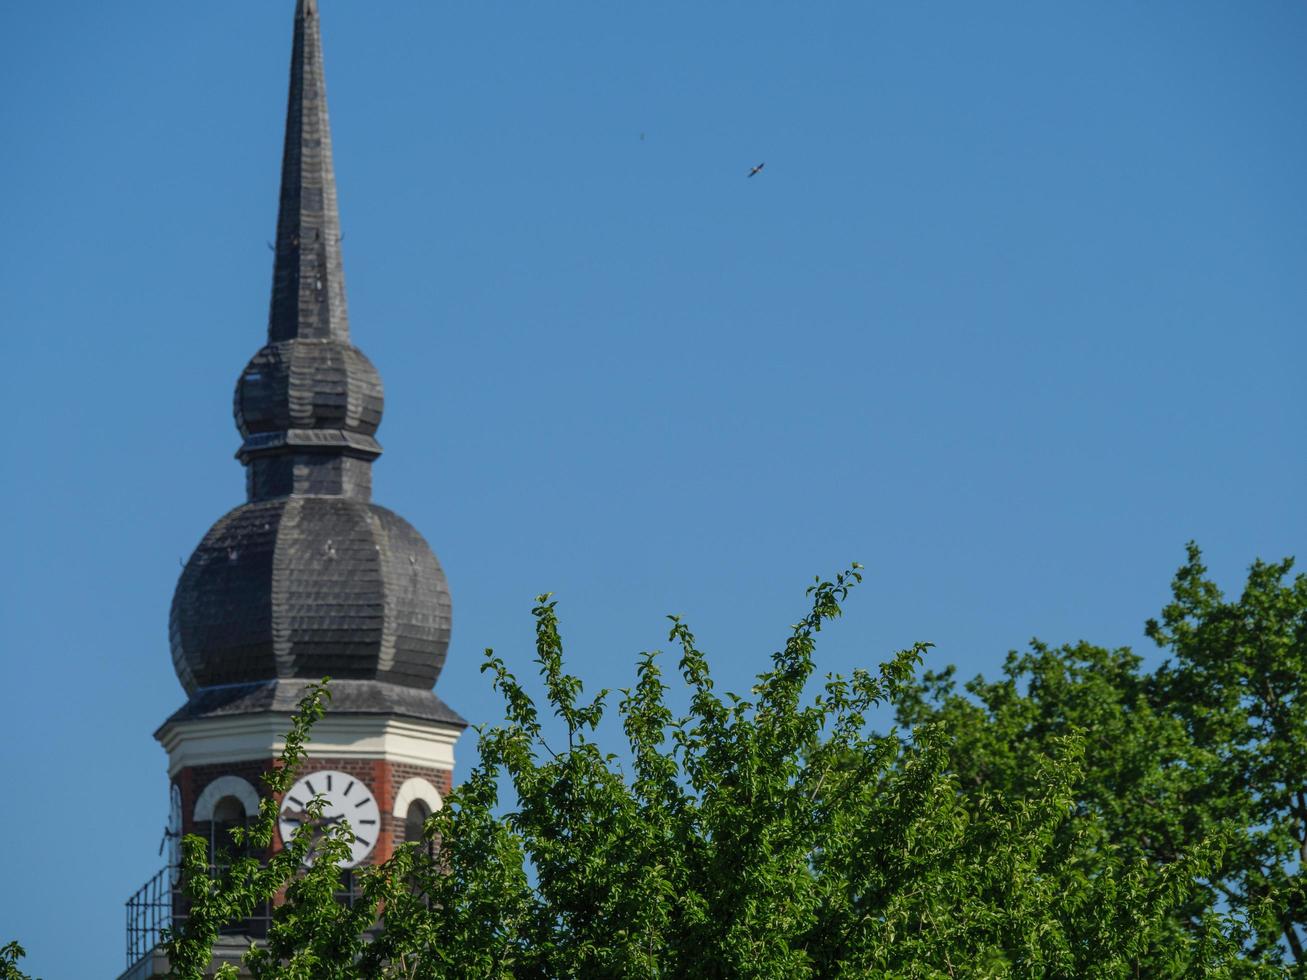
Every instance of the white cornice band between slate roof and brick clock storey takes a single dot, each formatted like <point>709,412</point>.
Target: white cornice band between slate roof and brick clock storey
<point>263,736</point>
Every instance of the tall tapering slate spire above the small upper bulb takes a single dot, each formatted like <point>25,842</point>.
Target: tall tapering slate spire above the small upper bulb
<point>309,279</point>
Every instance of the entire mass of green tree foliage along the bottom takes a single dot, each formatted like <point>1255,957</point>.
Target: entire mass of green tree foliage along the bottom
<point>1079,817</point>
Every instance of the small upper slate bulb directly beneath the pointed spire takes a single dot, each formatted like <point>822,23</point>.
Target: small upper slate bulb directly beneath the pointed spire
<point>309,384</point>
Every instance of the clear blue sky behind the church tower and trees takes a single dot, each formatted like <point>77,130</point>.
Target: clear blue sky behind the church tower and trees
<point>1016,309</point>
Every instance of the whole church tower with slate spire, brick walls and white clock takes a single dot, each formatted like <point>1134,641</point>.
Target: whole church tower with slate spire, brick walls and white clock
<point>309,578</point>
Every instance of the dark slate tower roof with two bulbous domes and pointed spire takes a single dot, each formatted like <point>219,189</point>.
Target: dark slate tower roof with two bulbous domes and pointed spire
<point>310,578</point>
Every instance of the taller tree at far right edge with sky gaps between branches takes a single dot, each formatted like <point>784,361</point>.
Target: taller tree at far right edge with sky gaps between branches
<point>1237,683</point>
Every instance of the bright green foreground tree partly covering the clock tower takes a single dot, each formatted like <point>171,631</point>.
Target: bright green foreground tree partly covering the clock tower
<point>770,837</point>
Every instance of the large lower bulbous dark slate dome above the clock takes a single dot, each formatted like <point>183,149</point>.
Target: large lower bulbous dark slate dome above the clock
<point>305,587</point>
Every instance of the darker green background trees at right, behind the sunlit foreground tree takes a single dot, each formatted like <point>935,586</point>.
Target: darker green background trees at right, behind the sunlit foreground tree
<point>1208,747</point>
